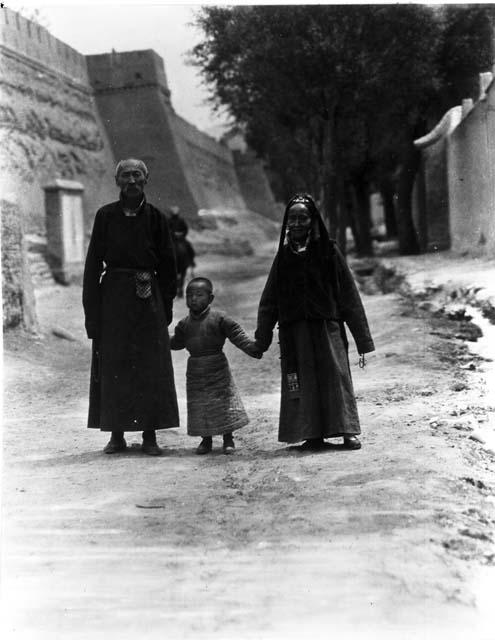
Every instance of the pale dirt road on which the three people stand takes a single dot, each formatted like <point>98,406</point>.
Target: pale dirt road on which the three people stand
<point>393,541</point>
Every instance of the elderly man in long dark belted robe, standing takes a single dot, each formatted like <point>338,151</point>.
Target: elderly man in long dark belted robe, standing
<point>129,285</point>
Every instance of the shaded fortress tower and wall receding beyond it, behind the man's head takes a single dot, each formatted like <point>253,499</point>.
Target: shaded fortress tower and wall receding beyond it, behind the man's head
<point>187,167</point>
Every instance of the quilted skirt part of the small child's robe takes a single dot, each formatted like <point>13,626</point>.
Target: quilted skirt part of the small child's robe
<point>214,406</point>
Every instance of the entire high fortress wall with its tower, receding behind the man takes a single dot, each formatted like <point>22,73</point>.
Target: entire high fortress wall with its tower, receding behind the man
<point>64,115</point>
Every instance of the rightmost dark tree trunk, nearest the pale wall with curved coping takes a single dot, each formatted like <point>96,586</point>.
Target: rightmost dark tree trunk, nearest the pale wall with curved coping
<point>408,239</point>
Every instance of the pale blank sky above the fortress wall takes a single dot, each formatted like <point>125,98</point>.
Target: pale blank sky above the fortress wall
<point>97,27</point>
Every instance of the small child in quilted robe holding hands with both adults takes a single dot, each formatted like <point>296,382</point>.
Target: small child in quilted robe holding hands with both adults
<point>213,404</point>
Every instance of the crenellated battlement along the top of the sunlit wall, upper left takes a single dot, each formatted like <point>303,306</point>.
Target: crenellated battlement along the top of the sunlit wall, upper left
<point>33,41</point>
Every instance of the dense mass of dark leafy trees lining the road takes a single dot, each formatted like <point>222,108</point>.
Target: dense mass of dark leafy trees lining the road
<point>334,96</point>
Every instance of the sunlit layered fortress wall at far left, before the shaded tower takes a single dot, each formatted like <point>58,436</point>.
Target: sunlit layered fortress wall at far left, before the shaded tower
<point>49,126</point>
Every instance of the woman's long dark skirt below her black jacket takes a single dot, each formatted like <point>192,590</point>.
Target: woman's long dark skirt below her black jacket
<point>324,405</point>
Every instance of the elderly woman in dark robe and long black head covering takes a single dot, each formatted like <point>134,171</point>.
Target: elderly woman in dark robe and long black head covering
<point>311,293</point>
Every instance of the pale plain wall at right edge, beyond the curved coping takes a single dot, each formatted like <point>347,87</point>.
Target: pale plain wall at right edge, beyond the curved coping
<point>471,179</point>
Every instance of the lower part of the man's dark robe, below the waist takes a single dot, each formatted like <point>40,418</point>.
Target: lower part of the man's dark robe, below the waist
<point>132,380</point>
